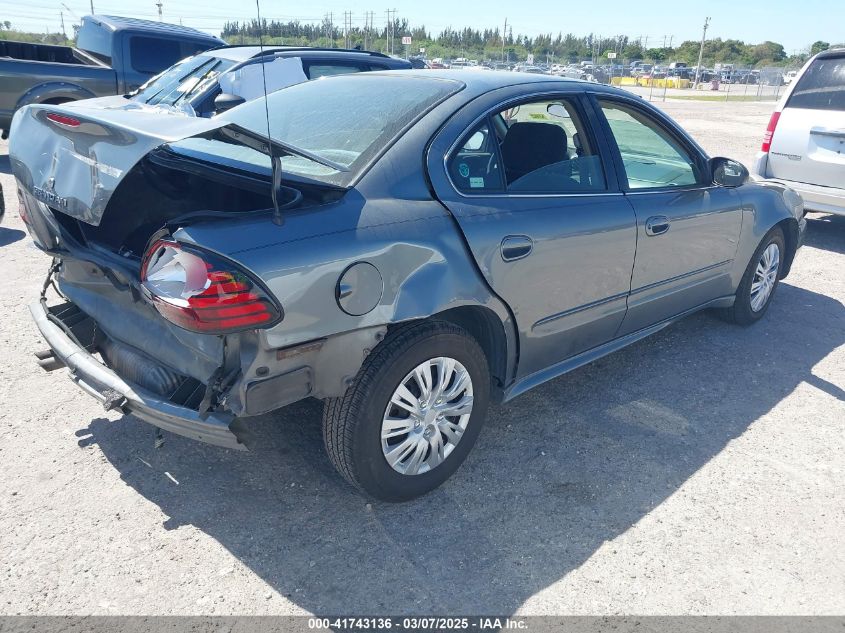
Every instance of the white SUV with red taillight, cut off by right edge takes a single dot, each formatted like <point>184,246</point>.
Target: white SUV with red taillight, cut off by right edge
<point>804,145</point>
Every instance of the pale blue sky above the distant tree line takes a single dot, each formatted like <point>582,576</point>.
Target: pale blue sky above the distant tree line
<point>794,23</point>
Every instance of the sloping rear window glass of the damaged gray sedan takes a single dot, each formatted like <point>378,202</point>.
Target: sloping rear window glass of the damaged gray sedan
<point>344,120</point>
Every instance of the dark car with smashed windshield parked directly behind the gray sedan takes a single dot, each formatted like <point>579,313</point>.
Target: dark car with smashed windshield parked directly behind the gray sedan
<point>217,80</point>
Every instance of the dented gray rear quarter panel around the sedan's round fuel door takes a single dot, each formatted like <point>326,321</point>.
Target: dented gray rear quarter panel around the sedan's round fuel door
<point>419,252</point>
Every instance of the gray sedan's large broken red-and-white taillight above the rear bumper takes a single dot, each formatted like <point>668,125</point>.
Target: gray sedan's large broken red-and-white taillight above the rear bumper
<point>201,292</point>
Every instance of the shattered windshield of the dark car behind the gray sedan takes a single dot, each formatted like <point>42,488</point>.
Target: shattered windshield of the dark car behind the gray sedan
<point>183,80</point>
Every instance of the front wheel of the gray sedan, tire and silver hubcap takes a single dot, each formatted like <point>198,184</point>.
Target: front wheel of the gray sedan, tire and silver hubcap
<point>761,277</point>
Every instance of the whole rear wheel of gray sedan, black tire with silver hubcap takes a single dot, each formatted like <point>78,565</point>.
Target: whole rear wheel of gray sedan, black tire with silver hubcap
<point>412,413</point>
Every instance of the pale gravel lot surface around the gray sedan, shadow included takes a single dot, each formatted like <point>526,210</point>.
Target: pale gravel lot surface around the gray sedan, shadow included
<point>697,472</point>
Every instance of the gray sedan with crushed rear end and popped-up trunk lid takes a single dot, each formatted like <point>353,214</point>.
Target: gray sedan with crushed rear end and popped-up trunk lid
<point>408,247</point>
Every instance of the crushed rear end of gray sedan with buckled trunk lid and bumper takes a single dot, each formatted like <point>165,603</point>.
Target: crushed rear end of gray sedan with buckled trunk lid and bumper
<point>97,195</point>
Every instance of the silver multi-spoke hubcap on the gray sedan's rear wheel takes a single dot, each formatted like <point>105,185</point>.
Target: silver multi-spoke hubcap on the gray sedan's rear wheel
<point>426,416</point>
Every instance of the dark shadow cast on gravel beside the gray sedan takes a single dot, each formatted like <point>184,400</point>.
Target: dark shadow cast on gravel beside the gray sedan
<point>555,474</point>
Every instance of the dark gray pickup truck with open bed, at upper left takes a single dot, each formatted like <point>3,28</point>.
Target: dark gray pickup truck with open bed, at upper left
<point>113,55</point>
